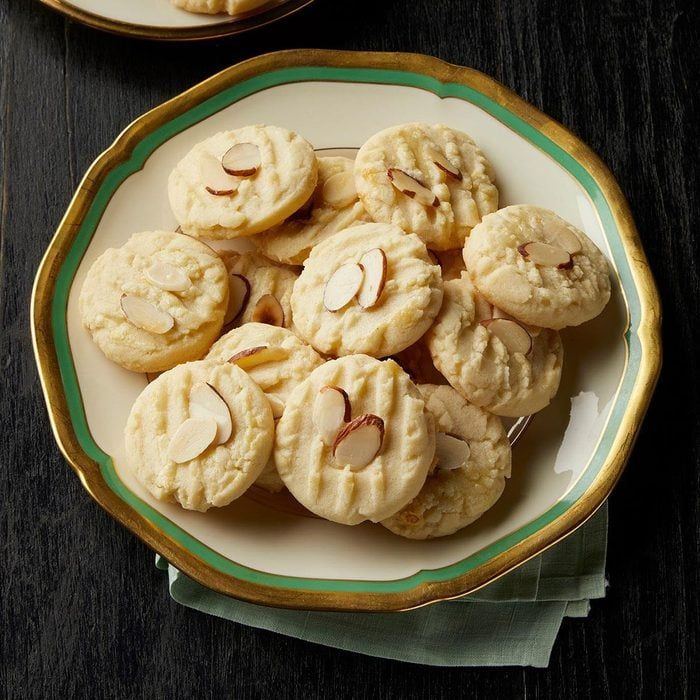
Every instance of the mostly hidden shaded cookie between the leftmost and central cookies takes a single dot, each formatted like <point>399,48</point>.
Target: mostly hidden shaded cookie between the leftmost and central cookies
<point>259,291</point>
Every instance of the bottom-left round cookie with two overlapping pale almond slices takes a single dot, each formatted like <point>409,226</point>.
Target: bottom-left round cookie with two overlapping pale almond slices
<point>200,434</point>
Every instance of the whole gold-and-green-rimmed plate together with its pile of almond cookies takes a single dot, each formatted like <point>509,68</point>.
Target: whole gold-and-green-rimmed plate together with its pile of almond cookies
<point>345,331</point>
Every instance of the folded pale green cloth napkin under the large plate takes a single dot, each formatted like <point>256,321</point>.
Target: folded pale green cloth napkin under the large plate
<point>512,622</point>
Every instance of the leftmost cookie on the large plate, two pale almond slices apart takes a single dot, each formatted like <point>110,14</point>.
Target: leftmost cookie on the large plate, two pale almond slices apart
<point>156,301</point>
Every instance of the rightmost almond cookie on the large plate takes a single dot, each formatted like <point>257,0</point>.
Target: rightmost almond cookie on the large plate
<point>537,267</point>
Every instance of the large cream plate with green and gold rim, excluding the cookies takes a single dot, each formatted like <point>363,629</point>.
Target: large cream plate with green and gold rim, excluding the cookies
<point>564,464</point>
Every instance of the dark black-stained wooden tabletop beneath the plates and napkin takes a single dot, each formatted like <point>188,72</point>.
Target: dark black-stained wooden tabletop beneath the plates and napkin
<point>84,611</point>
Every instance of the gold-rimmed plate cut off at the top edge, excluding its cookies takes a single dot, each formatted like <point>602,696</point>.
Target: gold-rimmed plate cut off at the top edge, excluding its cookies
<point>160,19</point>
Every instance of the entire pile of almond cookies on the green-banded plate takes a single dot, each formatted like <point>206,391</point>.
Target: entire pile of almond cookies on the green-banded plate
<point>348,330</point>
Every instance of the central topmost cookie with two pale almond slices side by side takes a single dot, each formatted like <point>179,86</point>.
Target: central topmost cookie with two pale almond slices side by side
<point>369,289</point>
